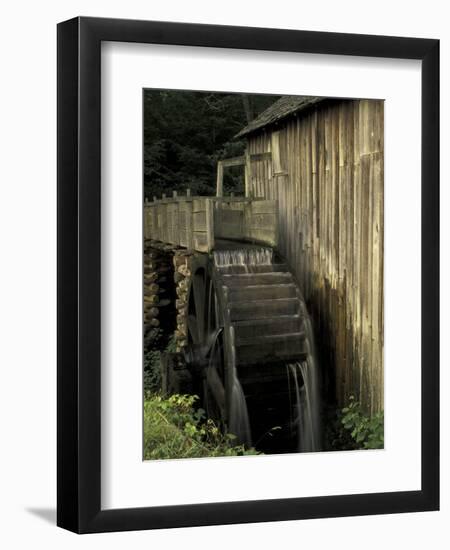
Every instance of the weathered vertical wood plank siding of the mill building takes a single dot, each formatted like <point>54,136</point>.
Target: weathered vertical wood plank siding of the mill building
<point>326,171</point>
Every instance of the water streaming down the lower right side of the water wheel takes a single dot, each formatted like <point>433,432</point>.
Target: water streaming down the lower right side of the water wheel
<point>305,377</point>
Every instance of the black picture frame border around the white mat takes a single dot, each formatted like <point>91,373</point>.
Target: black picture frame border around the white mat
<point>79,276</point>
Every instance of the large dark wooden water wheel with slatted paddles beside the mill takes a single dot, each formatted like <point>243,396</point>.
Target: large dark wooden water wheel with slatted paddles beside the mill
<point>246,324</point>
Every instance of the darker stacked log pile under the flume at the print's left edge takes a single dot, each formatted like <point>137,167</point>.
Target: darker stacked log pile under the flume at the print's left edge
<point>157,269</point>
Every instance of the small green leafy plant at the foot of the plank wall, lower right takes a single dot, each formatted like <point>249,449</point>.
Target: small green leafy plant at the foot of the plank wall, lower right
<point>366,431</point>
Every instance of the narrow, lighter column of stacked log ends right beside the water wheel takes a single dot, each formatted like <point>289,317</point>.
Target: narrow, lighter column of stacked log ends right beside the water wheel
<point>182,263</point>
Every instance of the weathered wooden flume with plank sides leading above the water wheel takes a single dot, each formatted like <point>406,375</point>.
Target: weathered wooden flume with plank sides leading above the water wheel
<point>197,222</point>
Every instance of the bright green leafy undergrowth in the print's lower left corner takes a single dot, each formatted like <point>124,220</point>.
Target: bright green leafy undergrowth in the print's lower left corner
<point>174,428</point>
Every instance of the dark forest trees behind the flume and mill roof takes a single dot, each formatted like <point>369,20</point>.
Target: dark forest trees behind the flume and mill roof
<point>186,133</point>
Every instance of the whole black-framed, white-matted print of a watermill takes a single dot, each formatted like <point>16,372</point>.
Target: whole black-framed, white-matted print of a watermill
<point>248,288</point>
